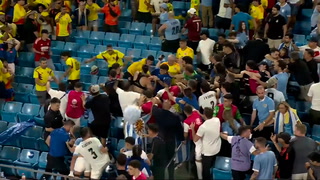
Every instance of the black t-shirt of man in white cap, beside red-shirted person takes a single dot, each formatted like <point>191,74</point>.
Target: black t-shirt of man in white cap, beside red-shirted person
<point>100,107</point>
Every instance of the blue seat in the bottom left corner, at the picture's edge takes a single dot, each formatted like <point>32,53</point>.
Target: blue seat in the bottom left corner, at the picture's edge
<point>7,156</point>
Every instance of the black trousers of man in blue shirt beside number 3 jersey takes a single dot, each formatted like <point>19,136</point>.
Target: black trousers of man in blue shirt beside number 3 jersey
<point>56,163</point>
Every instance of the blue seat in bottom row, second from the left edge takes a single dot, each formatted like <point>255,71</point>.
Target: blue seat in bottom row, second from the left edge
<point>29,159</point>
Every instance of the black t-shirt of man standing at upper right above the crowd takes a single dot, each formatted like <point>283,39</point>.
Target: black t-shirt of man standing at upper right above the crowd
<point>276,24</point>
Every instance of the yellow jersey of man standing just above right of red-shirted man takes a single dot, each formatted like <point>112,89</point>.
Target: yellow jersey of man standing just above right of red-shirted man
<point>63,25</point>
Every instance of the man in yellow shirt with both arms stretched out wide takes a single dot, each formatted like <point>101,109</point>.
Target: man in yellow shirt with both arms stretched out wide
<point>111,56</point>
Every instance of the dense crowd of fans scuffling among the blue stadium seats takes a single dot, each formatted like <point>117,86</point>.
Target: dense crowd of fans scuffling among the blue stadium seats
<point>196,96</point>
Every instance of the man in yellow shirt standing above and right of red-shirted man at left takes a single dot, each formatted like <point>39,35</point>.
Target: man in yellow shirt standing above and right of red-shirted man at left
<point>63,23</point>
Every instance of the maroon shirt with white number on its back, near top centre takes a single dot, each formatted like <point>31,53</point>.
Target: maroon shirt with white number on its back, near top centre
<point>194,28</point>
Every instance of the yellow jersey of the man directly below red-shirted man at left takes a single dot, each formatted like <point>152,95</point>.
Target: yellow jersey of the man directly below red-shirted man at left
<point>43,75</point>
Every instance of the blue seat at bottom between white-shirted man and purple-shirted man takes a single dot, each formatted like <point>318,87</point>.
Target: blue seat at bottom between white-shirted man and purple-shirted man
<point>222,168</point>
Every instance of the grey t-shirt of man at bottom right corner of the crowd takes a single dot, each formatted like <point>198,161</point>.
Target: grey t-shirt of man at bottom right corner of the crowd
<point>302,147</point>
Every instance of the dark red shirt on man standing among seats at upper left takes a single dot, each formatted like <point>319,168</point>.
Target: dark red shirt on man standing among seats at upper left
<point>42,46</point>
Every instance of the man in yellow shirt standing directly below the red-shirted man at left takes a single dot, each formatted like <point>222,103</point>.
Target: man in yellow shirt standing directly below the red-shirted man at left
<point>42,74</point>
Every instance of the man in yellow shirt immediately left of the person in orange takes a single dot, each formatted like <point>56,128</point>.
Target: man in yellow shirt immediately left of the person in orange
<point>94,8</point>
